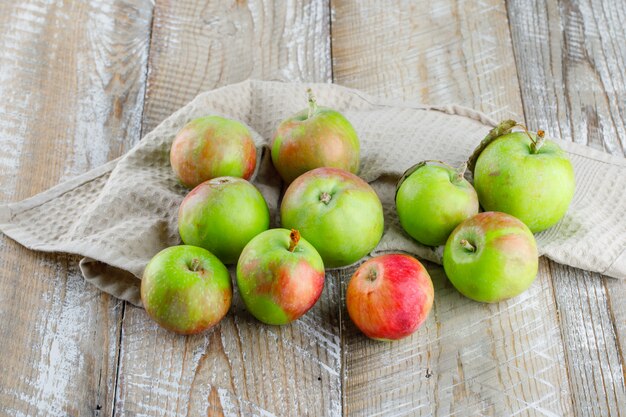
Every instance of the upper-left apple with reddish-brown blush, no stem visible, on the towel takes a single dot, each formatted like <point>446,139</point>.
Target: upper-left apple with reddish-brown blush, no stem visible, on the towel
<point>211,147</point>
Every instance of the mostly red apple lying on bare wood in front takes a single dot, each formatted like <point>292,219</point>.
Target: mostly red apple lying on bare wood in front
<point>389,296</point>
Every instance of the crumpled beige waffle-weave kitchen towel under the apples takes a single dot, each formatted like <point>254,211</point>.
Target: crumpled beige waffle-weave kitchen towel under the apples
<point>119,215</point>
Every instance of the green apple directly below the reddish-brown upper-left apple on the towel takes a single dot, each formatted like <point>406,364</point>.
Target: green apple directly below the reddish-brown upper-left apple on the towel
<point>222,215</point>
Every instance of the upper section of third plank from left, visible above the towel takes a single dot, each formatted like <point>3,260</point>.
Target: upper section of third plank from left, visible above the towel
<point>433,52</point>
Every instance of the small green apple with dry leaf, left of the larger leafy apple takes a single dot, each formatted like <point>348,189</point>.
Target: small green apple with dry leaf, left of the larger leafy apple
<point>432,200</point>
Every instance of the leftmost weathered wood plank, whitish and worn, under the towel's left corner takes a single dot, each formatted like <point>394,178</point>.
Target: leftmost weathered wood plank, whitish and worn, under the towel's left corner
<point>71,82</point>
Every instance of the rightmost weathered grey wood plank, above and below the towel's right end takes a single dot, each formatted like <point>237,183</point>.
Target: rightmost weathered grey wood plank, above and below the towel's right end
<point>571,59</point>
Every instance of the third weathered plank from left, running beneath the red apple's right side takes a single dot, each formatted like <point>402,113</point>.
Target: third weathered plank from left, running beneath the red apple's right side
<point>469,358</point>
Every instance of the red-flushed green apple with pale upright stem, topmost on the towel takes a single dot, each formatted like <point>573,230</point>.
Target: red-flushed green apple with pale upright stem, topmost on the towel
<point>315,137</point>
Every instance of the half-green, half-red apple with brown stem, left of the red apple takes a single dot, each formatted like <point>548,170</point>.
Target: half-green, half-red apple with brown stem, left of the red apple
<point>278,285</point>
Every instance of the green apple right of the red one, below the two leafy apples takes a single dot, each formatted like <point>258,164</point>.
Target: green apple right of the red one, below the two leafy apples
<point>504,263</point>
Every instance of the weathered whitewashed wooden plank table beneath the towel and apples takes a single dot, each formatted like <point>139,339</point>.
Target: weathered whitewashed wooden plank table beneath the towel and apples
<point>81,81</point>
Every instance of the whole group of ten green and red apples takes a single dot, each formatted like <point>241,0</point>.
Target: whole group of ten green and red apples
<point>331,218</point>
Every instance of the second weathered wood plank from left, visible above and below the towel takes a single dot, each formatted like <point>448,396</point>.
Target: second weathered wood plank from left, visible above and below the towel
<point>241,367</point>
